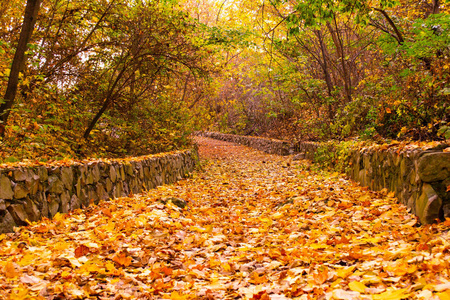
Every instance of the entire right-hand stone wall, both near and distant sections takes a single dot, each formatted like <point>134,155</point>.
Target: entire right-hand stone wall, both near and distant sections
<point>420,178</point>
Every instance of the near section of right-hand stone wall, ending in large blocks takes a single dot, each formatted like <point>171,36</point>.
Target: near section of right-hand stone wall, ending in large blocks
<point>419,178</point>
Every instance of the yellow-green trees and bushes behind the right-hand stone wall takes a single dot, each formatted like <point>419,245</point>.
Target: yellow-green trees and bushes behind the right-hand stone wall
<point>325,70</point>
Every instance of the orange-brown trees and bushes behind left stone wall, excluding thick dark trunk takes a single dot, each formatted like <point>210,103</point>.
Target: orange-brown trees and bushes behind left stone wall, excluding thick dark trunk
<point>102,78</point>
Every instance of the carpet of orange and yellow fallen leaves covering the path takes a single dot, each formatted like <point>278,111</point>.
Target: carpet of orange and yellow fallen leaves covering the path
<point>256,226</point>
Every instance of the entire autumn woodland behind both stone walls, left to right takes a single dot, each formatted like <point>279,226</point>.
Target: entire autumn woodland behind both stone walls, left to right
<point>115,78</point>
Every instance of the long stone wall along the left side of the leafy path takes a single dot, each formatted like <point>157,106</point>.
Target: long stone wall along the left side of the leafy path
<point>29,193</point>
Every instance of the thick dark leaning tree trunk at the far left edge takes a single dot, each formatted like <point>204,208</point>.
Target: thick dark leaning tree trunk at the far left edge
<point>29,21</point>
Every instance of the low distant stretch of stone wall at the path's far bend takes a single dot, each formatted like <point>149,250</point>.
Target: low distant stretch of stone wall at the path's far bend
<point>271,146</point>
